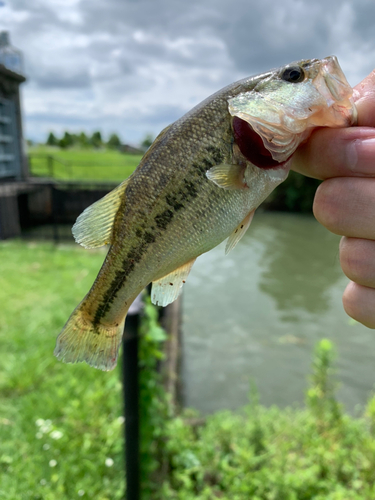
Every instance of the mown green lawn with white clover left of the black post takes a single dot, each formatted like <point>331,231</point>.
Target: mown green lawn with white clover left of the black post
<point>59,424</point>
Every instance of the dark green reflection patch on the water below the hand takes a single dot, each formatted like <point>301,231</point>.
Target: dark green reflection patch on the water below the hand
<point>298,263</point>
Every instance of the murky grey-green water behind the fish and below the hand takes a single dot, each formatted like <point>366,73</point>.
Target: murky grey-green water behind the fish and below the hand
<point>256,314</point>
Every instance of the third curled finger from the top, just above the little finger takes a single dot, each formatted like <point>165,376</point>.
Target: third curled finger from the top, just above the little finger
<point>357,259</point>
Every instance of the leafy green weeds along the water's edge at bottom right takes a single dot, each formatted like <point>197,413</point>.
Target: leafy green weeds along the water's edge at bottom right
<point>270,453</point>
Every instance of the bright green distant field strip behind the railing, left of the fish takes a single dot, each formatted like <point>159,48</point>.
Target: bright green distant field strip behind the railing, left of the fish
<point>81,164</point>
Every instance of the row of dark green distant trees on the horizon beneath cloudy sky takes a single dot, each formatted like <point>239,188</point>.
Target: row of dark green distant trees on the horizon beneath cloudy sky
<point>95,140</point>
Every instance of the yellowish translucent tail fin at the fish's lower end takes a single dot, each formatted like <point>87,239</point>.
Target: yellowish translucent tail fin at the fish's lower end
<point>81,340</point>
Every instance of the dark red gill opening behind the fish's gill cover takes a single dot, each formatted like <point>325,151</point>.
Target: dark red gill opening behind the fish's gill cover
<point>252,147</point>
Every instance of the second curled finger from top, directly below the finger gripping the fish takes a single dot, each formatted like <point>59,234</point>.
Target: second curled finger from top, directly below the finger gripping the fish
<point>344,205</point>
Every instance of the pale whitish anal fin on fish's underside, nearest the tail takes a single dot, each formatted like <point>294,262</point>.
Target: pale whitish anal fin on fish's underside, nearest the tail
<point>168,288</point>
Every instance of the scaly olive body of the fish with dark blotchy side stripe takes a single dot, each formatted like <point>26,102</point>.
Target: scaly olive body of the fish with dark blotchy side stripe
<point>158,197</point>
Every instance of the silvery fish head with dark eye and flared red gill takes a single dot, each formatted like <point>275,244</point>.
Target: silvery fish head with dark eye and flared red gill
<point>272,119</point>
